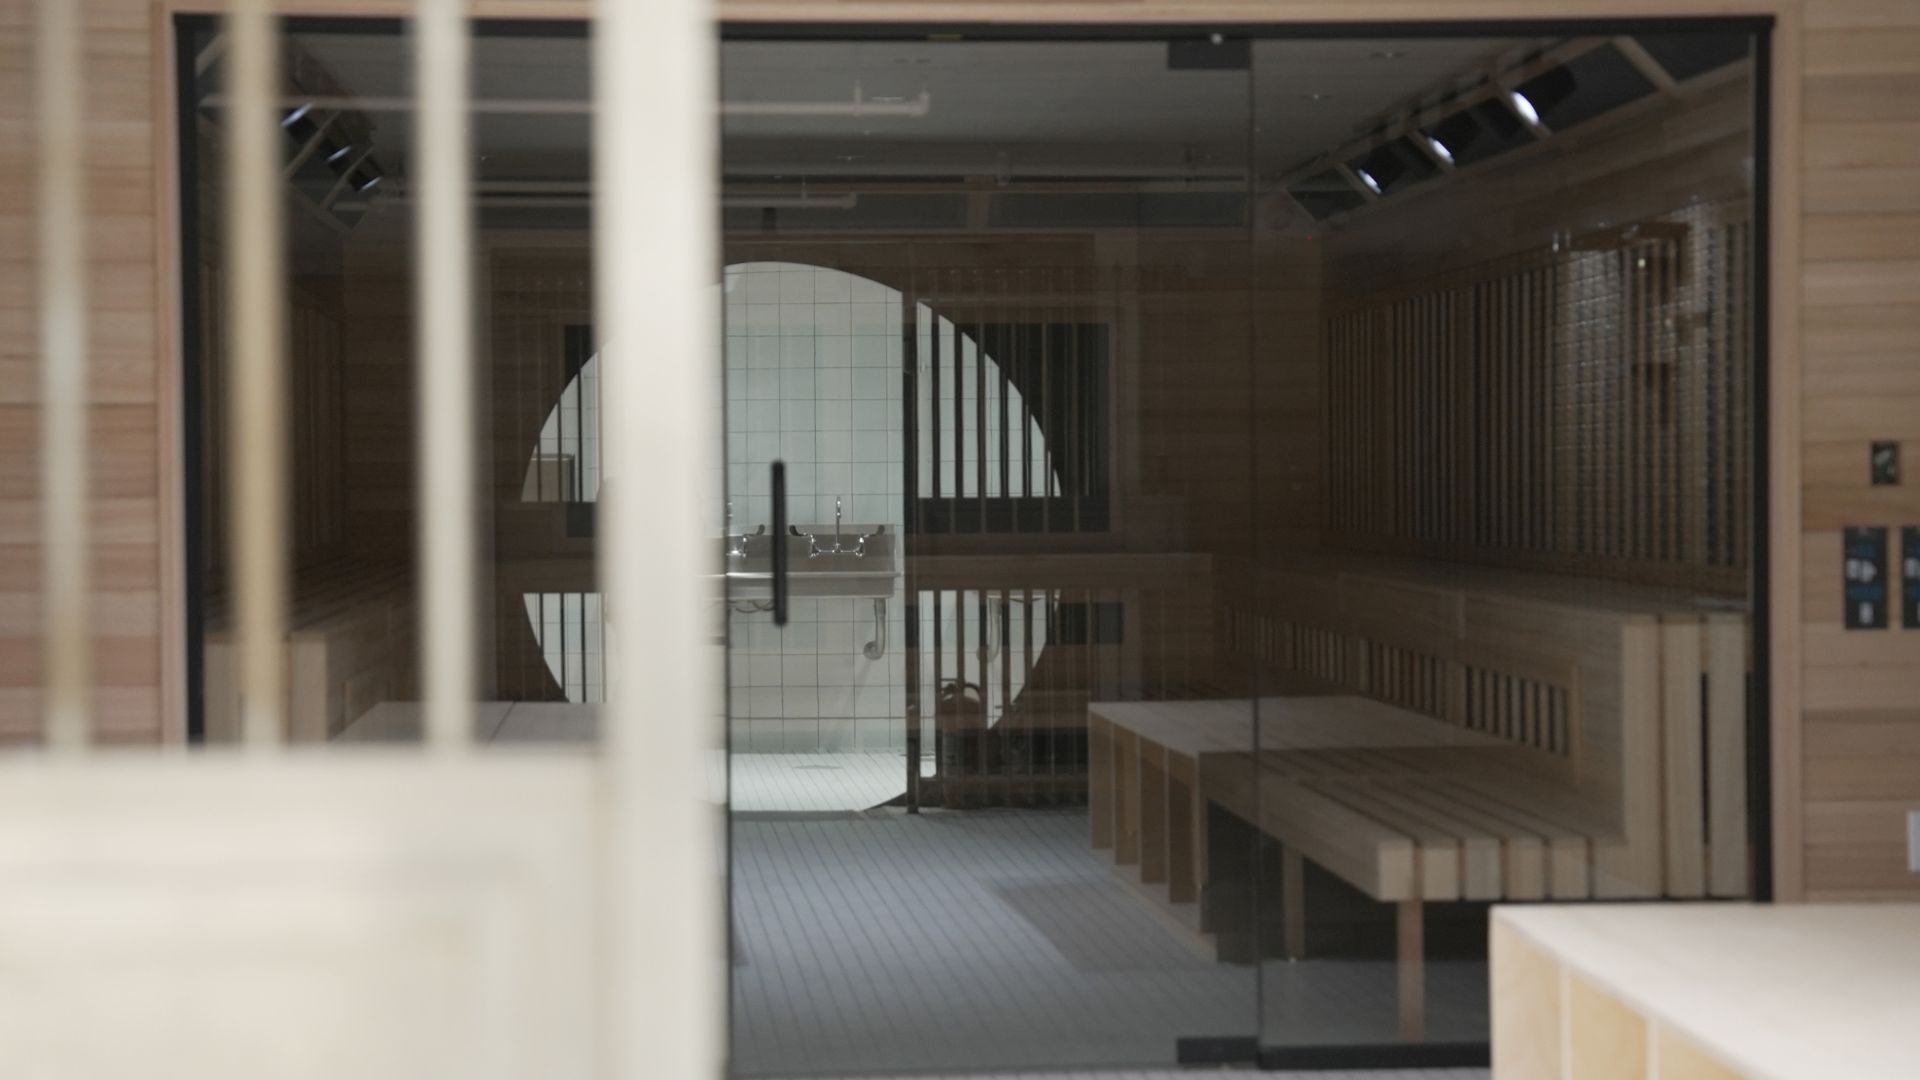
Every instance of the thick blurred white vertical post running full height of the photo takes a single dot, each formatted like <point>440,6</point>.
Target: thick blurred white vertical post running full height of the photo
<point>658,299</point>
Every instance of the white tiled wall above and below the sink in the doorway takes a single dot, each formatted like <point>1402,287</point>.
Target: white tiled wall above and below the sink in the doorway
<point>813,362</point>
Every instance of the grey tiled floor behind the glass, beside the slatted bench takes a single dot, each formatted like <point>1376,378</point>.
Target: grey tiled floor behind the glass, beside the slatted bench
<point>996,941</point>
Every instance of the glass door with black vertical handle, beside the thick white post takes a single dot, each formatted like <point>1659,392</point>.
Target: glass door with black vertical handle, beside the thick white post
<point>990,307</point>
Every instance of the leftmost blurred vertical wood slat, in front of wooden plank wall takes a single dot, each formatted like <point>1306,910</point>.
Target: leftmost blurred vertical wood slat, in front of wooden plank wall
<point>64,364</point>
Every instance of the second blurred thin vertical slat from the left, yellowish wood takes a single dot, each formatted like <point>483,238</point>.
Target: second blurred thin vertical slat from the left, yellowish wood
<point>258,410</point>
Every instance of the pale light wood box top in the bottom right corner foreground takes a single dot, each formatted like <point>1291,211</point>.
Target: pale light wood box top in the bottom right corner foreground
<point>1708,993</point>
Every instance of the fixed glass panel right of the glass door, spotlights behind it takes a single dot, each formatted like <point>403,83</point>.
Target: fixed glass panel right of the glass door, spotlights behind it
<point>1500,608</point>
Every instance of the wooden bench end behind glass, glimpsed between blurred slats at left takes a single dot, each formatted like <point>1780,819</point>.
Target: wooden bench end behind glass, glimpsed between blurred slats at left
<point>350,649</point>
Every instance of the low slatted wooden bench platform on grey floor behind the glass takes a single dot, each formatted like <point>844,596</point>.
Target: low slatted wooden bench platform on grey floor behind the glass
<point>1404,808</point>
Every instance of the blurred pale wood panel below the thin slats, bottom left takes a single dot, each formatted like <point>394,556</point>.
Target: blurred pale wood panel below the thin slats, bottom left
<point>316,912</point>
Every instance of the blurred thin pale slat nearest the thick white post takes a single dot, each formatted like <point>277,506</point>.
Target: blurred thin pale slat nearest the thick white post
<point>446,397</point>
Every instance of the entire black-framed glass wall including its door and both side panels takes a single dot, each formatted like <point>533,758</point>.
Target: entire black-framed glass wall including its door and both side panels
<point>1253,506</point>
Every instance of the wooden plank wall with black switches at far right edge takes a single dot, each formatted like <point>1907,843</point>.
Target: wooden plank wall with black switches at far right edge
<point>1861,737</point>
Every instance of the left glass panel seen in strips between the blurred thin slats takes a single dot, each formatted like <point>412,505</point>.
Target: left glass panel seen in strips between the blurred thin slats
<point>348,162</point>
